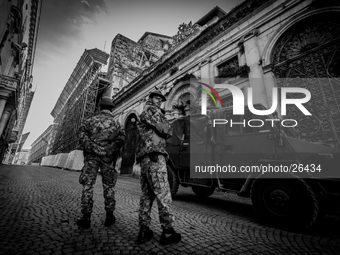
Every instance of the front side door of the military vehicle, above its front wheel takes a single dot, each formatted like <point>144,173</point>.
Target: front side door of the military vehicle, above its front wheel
<point>246,140</point>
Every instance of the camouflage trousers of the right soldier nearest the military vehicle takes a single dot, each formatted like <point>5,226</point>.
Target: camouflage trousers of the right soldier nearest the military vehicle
<point>155,185</point>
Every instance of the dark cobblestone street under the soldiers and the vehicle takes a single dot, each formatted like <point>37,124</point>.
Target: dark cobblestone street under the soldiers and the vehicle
<point>39,206</point>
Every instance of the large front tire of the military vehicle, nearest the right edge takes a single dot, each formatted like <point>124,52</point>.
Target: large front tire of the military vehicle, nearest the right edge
<point>285,203</point>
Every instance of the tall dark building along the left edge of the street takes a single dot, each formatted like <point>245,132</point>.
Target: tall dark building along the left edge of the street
<point>19,22</point>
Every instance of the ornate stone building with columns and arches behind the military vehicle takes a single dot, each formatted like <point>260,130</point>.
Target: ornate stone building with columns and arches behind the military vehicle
<point>259,44</point>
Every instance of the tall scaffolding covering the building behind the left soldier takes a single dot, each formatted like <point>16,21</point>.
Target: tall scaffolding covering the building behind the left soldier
<point>79,100</point>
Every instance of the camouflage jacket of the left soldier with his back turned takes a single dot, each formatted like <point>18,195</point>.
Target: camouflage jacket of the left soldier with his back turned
<point>101,136</point>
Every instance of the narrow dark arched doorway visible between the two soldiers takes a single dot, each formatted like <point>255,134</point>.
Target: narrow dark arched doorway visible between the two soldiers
<point>129,148</point>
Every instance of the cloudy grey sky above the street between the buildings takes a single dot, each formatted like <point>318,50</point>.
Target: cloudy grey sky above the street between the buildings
<point>68,27</point>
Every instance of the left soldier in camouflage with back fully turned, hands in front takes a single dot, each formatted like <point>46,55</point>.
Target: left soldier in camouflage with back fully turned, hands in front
<point>101,137</point>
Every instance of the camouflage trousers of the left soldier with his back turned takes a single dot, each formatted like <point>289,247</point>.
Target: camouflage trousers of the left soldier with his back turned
<point>88,178</point>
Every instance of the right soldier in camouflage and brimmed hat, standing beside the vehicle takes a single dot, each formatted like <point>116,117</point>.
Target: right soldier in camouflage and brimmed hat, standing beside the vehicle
<point>154,129</point>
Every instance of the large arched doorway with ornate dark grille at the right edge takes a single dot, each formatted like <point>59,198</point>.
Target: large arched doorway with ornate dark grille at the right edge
<point>308,56</point>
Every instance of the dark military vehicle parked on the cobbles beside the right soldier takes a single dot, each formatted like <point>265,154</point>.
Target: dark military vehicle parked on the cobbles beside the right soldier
<point>291,200</point>
